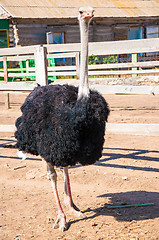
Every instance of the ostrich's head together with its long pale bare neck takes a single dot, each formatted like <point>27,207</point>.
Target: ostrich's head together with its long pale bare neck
<point>84,17</point>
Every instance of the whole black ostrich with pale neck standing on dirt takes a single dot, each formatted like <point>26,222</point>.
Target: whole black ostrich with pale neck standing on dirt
<point>65,125</point>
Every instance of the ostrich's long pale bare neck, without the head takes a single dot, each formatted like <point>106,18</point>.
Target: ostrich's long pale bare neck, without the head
<point>83,90</point>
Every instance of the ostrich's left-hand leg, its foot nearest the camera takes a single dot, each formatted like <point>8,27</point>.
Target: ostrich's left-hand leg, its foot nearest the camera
<point>61,218</point>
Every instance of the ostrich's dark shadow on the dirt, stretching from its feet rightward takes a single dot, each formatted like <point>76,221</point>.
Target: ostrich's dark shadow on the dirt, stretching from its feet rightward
<point>126,214</point>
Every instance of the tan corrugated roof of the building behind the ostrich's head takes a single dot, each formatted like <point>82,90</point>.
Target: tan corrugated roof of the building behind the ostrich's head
<point>69,9</point>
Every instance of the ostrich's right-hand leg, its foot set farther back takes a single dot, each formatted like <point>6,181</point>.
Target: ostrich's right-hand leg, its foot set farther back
<point>68,196</point>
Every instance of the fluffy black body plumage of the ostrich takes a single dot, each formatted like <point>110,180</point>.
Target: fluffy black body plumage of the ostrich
<point>60,128</point>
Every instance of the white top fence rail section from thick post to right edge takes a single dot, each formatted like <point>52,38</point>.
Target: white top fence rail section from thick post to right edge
<point>110,48</point>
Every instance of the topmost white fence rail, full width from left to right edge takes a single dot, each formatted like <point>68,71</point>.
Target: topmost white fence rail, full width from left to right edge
<point>104,48</point>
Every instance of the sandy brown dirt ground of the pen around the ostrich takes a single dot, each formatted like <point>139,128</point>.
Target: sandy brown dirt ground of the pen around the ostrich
<point>127,173</point>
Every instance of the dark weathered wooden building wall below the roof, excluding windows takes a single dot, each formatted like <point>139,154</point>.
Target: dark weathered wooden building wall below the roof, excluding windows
<point>31,32</point>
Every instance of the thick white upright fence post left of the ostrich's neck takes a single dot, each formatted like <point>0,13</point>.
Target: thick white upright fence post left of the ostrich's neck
<point>41,65</point>
